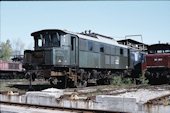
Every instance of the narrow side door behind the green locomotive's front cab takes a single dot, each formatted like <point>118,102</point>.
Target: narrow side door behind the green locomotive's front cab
<point>74,51</point>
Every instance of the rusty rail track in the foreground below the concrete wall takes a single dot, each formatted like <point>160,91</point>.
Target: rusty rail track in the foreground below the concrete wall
<point>58,108</point>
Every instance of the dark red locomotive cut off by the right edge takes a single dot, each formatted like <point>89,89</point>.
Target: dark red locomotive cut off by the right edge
<point>158,64</point>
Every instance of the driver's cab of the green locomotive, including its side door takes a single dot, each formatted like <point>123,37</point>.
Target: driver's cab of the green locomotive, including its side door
<point>53,48</point>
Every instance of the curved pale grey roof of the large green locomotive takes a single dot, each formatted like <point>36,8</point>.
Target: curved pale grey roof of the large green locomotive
<point>97,38</point>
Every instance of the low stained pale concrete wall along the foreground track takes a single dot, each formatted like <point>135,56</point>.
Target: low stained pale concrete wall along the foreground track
<point>102,102</point>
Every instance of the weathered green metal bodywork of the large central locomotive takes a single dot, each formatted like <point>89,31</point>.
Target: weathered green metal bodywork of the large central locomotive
<point>75,51</point>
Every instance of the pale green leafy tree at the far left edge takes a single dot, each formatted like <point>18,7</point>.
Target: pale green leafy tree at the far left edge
<point>6,51</point>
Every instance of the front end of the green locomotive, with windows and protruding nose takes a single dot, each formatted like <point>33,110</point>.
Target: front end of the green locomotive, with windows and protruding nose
<point>50,53</point>
